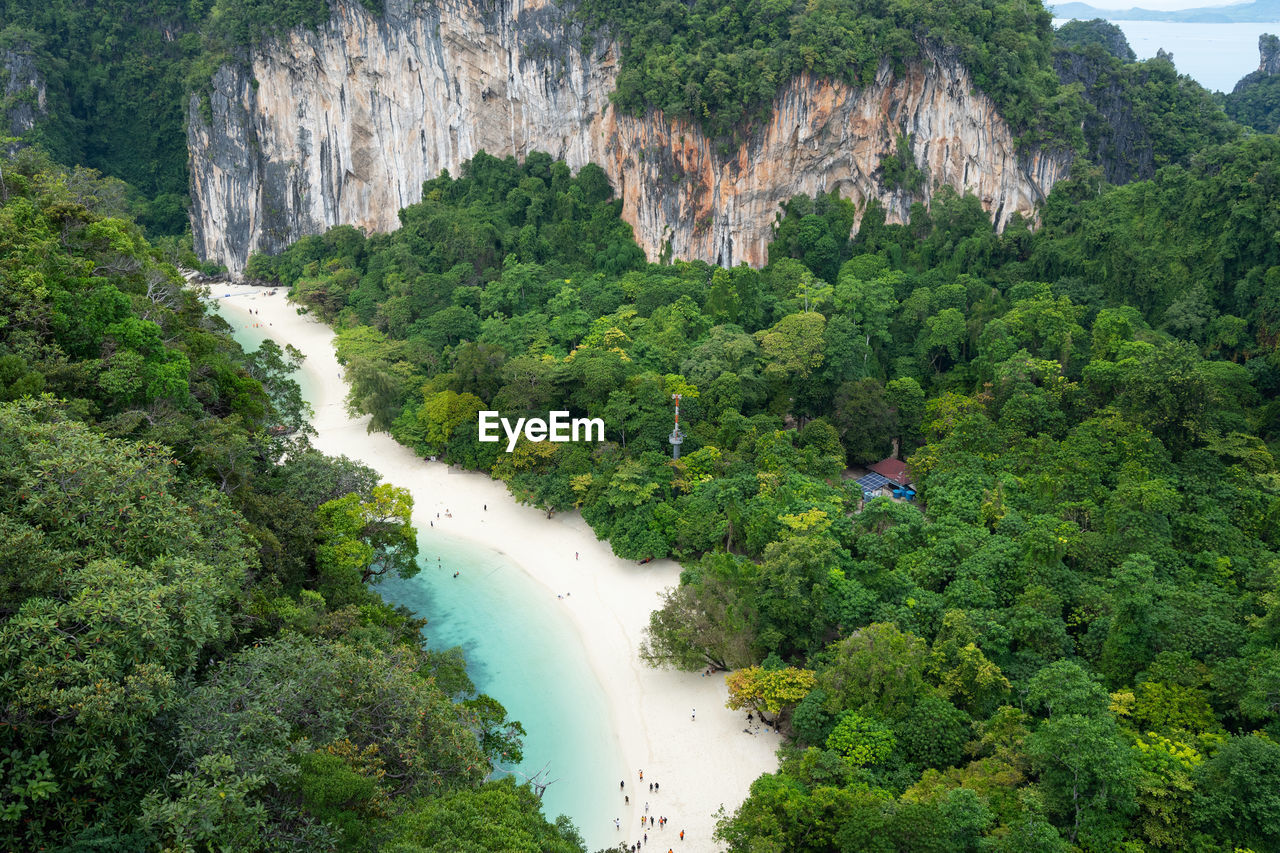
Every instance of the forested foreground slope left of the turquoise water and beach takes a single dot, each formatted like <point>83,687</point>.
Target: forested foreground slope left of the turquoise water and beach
<point>190,658</point>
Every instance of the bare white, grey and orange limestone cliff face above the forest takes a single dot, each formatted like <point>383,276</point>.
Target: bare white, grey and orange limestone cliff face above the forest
<point>344,125</point>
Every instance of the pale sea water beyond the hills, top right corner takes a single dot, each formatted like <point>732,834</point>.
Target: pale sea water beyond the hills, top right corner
<point>1214,56</point>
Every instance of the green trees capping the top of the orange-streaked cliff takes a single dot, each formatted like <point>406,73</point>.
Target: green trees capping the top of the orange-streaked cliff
<point>721,65</point>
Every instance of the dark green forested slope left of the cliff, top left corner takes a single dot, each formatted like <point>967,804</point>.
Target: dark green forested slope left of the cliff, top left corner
<point>120,74</point>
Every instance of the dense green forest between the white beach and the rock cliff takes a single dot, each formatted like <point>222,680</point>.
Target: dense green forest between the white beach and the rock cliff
<point>1067,638</point>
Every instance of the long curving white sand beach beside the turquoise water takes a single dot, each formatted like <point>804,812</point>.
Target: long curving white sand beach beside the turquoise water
<point>701,764</point>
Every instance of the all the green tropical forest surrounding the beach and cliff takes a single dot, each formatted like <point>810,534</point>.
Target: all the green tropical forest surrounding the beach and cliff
<point>1059,632</point>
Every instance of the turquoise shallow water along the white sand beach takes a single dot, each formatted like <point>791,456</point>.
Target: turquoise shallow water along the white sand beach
<point>522,651</point>
